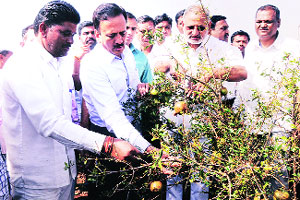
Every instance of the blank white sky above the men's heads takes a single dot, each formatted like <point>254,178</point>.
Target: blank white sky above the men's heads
<point>17,14</point>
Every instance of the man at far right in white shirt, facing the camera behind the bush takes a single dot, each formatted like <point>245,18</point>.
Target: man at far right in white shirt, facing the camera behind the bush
<point>265,55</point>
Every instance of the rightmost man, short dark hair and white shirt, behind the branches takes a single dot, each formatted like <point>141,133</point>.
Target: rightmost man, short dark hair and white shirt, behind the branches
<point>266,55</point>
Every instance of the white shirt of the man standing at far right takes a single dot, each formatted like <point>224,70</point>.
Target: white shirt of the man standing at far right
<point>264,60</point>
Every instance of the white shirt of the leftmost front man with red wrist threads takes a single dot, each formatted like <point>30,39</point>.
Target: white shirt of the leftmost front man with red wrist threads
<point>38,130</point>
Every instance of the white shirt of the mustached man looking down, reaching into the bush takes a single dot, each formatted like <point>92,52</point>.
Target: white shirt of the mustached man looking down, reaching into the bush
<point>106,80</point>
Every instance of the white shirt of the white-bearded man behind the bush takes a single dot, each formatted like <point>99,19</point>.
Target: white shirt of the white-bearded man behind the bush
<point>208,55</point>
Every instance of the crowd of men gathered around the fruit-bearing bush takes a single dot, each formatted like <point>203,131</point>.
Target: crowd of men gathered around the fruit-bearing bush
<point>56,97</point>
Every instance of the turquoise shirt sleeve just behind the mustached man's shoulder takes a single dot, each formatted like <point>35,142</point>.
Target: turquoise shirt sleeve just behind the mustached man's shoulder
<point>142,65</point>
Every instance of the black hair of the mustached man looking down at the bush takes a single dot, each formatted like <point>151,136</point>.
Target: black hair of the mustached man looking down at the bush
<point>105,11</point>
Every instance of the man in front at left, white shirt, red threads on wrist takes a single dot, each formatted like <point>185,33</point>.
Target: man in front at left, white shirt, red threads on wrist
<point>38,130</point>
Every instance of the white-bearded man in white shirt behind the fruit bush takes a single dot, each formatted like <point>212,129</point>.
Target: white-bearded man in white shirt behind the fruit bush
<point>201,51</point>
